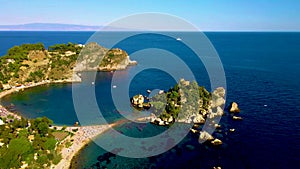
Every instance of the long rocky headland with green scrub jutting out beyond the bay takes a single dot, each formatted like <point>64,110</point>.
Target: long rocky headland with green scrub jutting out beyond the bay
<point>33,63</point>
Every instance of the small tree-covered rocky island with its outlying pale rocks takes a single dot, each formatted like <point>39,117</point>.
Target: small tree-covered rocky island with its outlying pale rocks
<point>187,102</point>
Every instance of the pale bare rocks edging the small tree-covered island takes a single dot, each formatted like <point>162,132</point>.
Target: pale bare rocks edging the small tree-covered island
<point>200,116</point>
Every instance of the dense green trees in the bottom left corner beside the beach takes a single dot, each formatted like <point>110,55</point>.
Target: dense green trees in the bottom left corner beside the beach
<point>28,141</point>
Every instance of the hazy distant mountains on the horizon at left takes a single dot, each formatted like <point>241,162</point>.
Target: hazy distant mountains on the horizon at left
<point>48,27</point>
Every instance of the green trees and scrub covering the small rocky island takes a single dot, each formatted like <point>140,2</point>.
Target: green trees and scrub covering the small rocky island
<point>183,97</point>
